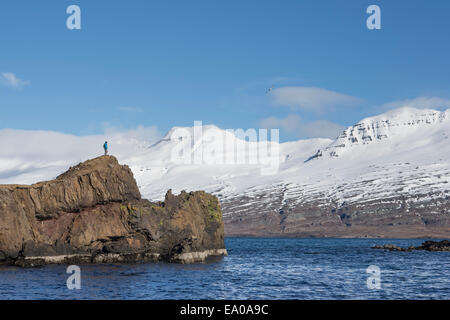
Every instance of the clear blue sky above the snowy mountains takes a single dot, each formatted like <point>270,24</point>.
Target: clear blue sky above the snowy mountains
<point>165,64</point>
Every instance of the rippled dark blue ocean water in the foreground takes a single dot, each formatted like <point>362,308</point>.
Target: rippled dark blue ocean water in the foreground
<point>256,268</point>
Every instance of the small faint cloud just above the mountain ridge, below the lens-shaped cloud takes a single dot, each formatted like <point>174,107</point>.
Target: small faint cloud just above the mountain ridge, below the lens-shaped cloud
<point>302,129</point>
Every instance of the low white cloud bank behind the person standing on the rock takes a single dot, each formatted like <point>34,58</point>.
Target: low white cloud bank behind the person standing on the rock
<point>31,156</point>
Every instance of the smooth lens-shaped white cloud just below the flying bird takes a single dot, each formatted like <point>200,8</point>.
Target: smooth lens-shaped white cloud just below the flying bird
<point>311,98</point>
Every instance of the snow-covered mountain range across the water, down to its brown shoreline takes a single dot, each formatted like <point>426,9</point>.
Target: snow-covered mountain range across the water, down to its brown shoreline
<point>387,175</point>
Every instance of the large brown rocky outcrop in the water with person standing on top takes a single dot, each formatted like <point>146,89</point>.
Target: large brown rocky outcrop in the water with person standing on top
<point>94,213</point>
